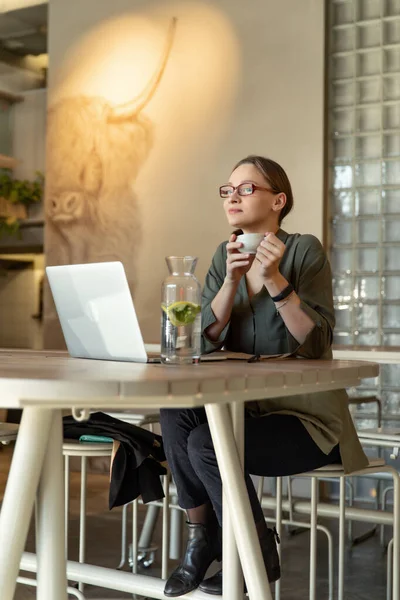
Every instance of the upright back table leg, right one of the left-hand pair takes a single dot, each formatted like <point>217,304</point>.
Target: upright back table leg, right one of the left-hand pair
<point>51,578</point>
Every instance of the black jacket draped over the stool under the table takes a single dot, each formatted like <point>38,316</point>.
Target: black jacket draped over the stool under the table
<point>136,467</point>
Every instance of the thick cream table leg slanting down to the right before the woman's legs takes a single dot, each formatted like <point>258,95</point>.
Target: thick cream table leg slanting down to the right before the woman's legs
<point>238,501</point>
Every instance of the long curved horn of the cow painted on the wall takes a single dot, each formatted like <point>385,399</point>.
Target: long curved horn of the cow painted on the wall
<point>126,111</point>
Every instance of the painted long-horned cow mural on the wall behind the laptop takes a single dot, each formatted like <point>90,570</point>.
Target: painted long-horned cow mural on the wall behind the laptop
<point>95,152</point>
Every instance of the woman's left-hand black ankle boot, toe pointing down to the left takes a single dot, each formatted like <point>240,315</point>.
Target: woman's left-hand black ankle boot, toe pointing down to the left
<point>203,547</point>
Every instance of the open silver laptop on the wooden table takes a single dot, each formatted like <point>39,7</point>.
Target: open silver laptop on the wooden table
<point>97,314</point>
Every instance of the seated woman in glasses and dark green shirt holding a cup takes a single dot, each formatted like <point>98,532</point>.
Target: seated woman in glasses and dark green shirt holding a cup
<point>274,302</point>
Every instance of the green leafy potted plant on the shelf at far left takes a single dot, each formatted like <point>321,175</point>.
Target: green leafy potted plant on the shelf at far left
<point>16,195</point>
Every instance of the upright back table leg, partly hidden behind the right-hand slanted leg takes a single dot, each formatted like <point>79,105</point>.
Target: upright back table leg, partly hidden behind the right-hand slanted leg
<point>232,584</point>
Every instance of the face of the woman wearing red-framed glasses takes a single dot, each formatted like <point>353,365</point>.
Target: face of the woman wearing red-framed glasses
<point>250,213</point>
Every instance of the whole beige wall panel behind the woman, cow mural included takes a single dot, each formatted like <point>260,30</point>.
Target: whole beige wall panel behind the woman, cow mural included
<point>235,82</point>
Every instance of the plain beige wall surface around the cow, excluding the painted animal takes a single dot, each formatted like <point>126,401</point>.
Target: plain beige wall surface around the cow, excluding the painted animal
<point>242,78</point>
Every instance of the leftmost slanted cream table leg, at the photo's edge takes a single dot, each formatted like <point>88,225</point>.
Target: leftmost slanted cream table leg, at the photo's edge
<point>19,498</point>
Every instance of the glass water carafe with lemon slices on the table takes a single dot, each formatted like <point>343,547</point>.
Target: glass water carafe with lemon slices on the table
<point>180,310</point>
